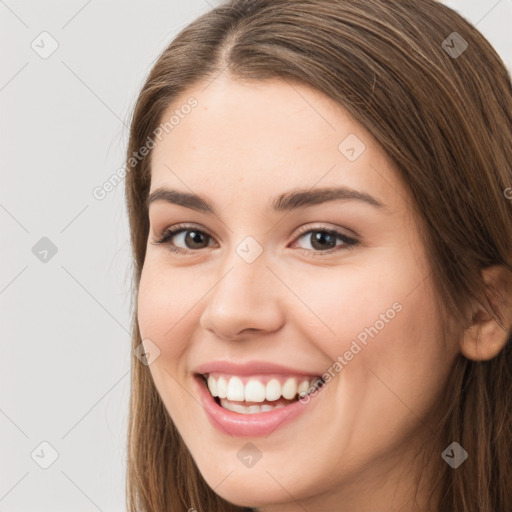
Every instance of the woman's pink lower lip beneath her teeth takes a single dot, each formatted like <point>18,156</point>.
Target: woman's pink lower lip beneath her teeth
<point>238,424</point>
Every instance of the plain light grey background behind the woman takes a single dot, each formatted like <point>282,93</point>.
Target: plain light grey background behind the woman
<point>65,352</point>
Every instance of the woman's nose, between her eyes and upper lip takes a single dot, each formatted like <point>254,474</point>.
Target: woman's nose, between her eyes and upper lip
<point>244,300</point>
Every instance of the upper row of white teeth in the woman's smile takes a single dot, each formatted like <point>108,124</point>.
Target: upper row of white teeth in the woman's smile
<point>254,390</point>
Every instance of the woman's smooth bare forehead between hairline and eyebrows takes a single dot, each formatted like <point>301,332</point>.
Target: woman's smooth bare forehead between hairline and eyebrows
<point>262,137</point>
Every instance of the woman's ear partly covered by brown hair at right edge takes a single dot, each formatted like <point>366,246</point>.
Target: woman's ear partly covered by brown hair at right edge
<point>487,333</point>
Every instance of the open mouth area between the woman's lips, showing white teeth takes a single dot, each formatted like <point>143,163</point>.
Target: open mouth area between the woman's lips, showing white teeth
<point>257,394</point>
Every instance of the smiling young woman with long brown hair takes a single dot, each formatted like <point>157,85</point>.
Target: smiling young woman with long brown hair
<point>320,203</point>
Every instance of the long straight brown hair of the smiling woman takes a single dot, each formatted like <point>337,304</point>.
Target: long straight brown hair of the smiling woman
<point>442,111</point>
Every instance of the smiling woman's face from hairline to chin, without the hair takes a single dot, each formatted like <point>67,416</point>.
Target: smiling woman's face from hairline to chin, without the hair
<point>280,280</point>
